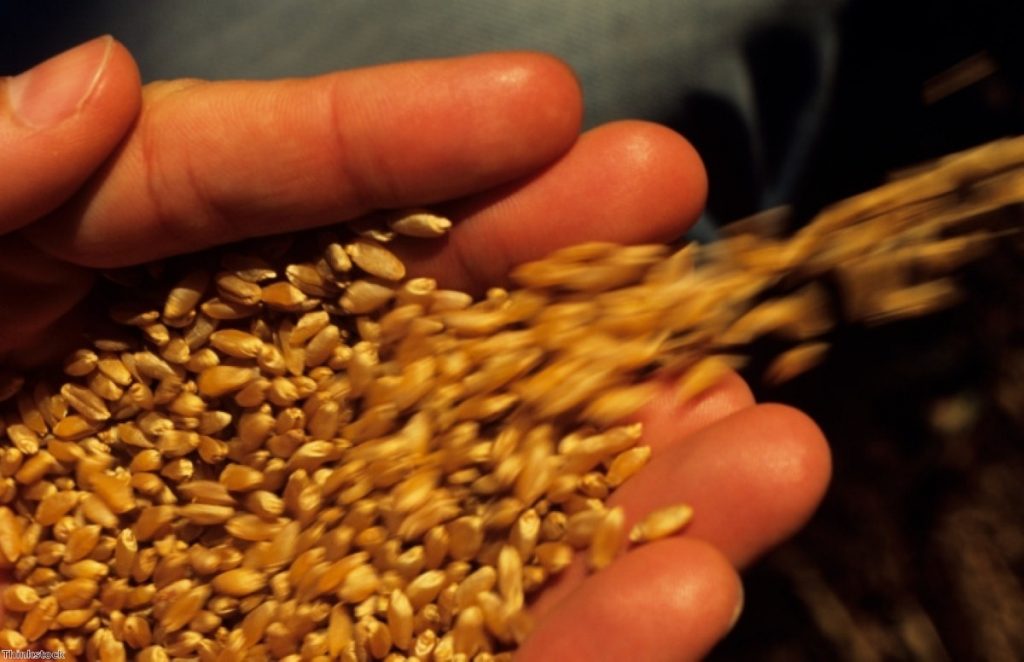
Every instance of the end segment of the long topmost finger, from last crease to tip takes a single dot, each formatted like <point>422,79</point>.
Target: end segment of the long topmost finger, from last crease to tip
<point>459,127</point>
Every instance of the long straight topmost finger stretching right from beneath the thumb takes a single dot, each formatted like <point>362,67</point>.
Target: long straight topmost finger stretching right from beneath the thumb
<point>210,163</point>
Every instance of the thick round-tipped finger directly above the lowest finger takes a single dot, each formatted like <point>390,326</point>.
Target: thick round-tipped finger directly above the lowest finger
<point>753,480</point>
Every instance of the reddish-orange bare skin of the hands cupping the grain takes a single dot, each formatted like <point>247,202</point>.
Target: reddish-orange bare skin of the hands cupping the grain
<point>493,141</point>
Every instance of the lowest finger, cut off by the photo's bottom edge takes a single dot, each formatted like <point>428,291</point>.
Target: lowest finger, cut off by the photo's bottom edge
<point>668,601</point>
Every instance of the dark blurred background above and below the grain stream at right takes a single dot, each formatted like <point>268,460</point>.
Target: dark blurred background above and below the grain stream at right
<point>918,553</point>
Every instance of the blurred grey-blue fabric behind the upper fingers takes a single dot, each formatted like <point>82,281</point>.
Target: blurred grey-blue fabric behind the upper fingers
<point>685,63</point>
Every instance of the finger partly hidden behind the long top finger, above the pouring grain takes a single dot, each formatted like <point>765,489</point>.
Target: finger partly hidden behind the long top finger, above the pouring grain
<point>628,183</point>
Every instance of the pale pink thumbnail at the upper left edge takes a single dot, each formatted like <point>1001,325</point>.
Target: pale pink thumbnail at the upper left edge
<point>55,91</point>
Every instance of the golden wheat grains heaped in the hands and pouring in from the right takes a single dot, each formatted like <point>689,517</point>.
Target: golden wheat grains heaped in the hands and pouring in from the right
<point>321,459</point>
